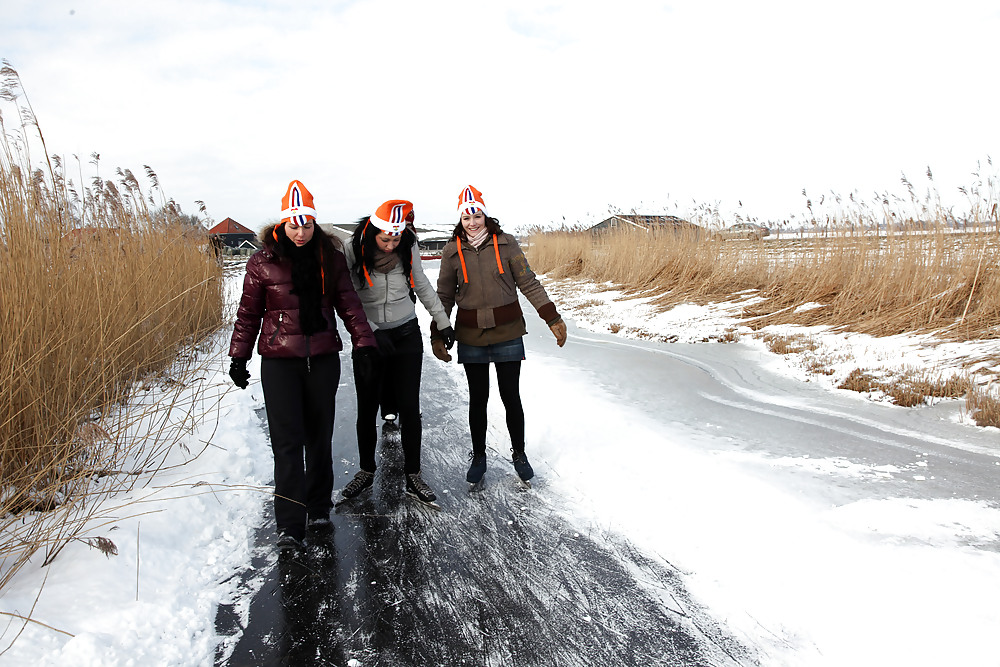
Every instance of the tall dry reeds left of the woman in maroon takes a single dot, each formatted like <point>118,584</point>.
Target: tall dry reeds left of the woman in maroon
<point>98,291</point>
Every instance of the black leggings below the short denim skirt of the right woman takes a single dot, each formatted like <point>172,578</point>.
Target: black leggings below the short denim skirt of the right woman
<point>508,381</point>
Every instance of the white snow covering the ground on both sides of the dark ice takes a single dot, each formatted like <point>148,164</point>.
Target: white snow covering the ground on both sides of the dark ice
<point>907,579</point>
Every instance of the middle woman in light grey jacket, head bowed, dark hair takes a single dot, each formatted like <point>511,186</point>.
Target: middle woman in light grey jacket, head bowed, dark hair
<point>384,262</point>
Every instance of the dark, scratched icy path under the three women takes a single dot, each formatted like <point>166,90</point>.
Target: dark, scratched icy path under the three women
<point>498,577</point>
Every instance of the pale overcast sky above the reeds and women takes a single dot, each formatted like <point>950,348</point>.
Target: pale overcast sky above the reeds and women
<point>551,109</point>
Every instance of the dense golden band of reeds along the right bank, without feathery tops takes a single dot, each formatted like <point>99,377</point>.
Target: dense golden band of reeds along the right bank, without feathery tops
<point>906,280</point>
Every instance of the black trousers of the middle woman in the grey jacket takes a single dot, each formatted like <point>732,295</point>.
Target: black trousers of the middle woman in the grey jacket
<point>398,374</point>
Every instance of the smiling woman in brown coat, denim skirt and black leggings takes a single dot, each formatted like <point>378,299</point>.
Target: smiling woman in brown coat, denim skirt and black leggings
<point>482,269</point>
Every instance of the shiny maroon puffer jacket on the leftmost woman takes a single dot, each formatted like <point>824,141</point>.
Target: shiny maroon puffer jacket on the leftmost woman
<point>268,308</point>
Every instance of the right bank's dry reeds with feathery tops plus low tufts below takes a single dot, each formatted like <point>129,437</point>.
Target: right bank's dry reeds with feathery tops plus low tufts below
<point>866,268</point>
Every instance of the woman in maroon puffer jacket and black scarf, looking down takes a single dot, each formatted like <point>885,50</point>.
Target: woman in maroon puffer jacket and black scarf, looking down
<point>291,290</point>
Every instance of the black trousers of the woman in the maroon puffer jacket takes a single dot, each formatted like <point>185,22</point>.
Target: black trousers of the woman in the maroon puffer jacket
<point>300,400</point>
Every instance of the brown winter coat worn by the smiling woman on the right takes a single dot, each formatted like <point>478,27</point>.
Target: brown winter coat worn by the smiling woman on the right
<point>488,308</point>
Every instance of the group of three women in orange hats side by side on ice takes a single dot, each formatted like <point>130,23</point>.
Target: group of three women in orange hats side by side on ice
<point>302,277</point>
